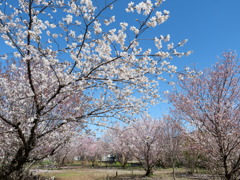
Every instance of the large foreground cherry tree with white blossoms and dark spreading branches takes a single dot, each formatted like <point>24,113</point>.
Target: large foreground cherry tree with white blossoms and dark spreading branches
<point>70,63</point>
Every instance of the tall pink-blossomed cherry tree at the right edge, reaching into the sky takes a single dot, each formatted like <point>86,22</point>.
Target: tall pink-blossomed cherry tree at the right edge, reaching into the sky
<point>210,103</point>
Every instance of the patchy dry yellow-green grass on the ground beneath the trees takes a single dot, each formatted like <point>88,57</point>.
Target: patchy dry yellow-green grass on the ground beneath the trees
<point>110,174</point>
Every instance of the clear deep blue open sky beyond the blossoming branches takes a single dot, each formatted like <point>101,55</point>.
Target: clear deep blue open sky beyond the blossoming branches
<point>212,27</point>
